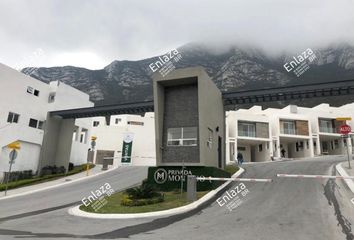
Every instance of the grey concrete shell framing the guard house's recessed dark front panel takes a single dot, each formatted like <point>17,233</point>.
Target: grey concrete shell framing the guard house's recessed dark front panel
<point>213,118</point>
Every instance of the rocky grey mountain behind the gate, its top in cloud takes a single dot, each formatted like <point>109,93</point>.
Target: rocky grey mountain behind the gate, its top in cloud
<point>232,69</point>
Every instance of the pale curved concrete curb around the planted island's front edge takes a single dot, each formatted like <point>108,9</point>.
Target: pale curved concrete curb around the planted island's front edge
<point>75,211</point>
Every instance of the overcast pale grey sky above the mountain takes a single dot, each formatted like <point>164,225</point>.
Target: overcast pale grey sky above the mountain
<point>93,33</point>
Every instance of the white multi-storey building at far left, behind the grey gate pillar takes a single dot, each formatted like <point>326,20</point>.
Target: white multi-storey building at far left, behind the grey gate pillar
<point>24,106</point>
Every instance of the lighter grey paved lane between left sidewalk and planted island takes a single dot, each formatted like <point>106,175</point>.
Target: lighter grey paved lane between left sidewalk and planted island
<point>58,197</point>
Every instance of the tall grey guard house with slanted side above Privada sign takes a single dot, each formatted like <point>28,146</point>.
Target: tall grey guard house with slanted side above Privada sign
<point>189,119</point>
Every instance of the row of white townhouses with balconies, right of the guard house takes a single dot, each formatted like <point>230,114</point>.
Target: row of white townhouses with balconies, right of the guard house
<point>295,132</point>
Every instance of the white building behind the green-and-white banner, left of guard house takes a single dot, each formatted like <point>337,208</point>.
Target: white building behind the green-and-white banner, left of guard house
<point>110,138</point>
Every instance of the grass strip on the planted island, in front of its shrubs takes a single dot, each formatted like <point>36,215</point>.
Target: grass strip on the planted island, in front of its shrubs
<point>172,200</point>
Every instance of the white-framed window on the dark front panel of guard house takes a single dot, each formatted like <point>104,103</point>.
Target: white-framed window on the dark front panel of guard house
<point>186,136</point>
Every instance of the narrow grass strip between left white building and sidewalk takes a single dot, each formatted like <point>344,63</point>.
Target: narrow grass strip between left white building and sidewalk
<point>47,178</point>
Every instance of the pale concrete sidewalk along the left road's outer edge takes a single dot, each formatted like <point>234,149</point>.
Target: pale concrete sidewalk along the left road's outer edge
<point>54,183</point>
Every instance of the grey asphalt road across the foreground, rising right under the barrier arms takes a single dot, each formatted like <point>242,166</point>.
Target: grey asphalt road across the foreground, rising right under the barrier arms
<point>285,209</point>
